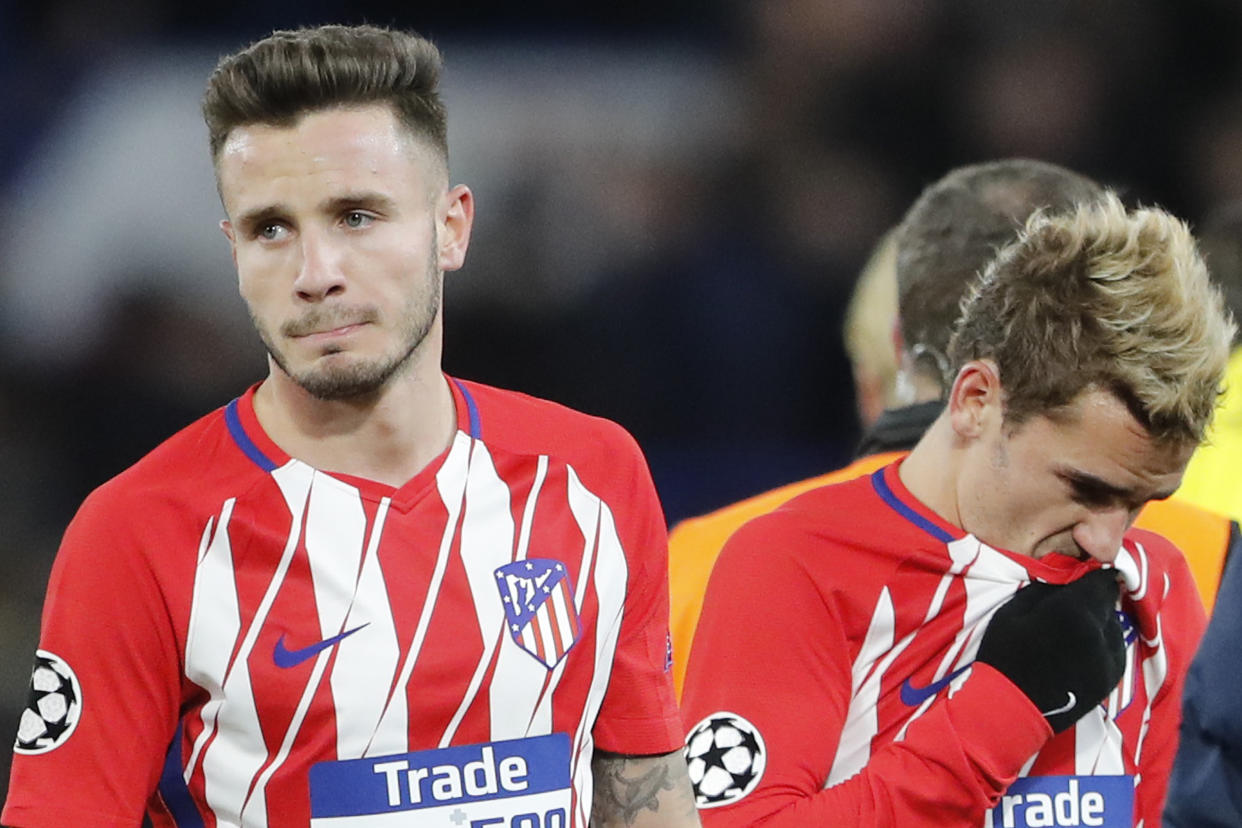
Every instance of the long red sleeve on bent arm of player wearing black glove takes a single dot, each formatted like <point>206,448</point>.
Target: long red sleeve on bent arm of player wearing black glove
<point>772,650</point>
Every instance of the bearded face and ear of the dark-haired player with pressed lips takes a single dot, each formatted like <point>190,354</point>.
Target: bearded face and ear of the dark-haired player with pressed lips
<point>342,227</point>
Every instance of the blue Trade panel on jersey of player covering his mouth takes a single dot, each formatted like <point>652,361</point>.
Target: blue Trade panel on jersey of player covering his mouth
<point>1063,801</point>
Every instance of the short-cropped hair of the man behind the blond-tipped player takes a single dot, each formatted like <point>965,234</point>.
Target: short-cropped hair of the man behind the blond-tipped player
<point>954,230</point>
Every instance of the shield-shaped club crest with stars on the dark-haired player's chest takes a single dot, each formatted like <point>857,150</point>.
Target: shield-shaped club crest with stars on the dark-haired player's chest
<point>540,609</point>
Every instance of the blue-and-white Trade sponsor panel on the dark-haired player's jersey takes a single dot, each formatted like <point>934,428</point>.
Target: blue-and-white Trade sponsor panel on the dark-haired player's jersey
<point>520,783</point>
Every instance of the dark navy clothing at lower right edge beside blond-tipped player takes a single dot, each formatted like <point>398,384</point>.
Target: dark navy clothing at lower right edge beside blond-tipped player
<point>1205,790</point>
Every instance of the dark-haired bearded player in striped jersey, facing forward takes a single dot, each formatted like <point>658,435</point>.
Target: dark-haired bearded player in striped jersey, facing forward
<point>363,593</point>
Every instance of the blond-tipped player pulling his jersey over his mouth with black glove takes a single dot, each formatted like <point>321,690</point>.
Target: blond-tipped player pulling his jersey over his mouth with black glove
<point>974,635</point>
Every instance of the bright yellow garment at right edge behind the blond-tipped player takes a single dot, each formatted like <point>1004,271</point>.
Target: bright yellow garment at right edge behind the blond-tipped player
<point>1212,480</point>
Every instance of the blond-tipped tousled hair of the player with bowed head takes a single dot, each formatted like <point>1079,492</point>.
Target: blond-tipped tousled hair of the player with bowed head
<point>1102,299</point>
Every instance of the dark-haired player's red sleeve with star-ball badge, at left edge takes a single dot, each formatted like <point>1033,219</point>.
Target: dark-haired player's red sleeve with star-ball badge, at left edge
<point>107,626</point>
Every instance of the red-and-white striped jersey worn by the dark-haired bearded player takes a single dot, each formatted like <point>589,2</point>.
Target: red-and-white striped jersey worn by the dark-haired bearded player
<point>255,642</point>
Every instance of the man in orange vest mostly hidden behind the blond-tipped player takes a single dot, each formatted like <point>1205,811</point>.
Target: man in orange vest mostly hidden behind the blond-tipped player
<point>947,238</point>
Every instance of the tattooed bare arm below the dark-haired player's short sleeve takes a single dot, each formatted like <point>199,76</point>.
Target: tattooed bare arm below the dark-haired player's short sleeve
<point>629,788</point>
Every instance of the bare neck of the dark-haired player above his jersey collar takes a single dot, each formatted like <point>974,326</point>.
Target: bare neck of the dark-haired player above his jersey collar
<point>388,436</point>
